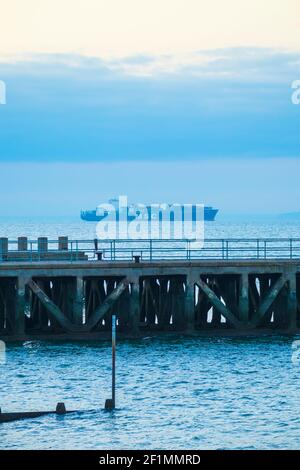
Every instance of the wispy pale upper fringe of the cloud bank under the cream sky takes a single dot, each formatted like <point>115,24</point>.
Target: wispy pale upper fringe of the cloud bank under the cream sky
<point>242,63</point>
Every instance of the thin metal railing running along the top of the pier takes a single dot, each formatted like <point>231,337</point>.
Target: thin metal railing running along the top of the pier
<point>44,249</point>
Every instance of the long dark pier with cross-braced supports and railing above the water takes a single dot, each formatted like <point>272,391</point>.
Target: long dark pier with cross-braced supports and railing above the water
<point>66,289</point>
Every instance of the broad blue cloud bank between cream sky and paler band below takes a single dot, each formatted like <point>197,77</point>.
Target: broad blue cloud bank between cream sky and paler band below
<point>225,103</point>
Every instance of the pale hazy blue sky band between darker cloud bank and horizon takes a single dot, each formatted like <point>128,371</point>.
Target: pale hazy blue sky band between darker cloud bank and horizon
<point>64,182</point>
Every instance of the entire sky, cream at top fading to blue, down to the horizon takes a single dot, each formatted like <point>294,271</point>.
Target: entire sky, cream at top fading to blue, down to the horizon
<point>172,100</point>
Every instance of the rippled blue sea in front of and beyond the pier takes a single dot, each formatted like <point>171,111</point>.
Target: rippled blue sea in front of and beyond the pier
<point>171,392</point>
